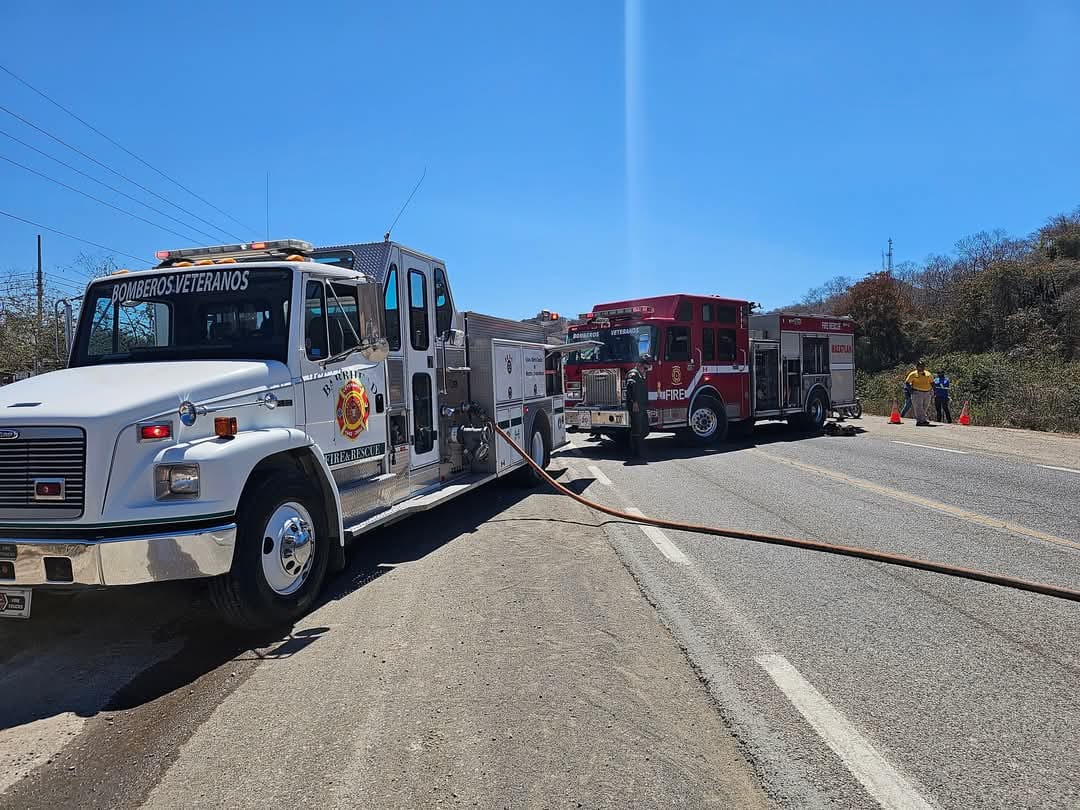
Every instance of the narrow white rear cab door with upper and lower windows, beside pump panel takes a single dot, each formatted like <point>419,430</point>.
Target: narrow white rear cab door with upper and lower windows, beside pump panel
<point>423,396</point>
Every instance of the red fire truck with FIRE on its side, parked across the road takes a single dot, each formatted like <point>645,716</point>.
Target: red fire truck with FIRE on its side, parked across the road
<point>713,366</point>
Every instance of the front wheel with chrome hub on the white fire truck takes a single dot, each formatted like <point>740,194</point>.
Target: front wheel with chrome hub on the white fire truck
<point>281,558</point>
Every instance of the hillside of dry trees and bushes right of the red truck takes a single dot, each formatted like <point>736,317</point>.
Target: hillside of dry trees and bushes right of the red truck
<point>1001,316</point>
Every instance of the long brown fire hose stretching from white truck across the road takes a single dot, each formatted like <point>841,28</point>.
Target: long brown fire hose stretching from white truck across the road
<point>847,551</point>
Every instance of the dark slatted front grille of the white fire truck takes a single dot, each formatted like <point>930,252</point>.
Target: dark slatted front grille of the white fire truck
<point>43,471</point>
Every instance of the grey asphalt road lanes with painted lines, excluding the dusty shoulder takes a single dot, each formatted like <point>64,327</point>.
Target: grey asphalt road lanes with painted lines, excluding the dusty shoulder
<point>854,684</point>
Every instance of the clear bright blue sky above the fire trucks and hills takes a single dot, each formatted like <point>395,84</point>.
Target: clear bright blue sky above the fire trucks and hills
<point>576,153</point>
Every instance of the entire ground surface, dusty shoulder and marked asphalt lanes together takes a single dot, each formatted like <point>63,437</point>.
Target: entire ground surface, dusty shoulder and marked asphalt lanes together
<point>516,650</point>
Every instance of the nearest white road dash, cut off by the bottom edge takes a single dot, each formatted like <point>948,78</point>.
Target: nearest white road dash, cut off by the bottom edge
<point>888,788</point>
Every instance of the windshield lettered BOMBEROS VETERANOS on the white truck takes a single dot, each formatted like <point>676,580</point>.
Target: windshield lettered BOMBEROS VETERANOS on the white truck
<point>217,314</point>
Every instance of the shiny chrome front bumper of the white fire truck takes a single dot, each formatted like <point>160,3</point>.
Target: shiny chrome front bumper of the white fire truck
<point>118,561</point>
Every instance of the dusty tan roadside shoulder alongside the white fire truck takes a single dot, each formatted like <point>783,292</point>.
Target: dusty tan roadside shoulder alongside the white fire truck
<point>492,654</point>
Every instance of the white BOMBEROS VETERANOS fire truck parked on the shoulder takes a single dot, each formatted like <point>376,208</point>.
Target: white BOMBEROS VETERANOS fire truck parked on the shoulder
<point>239,413</point>
